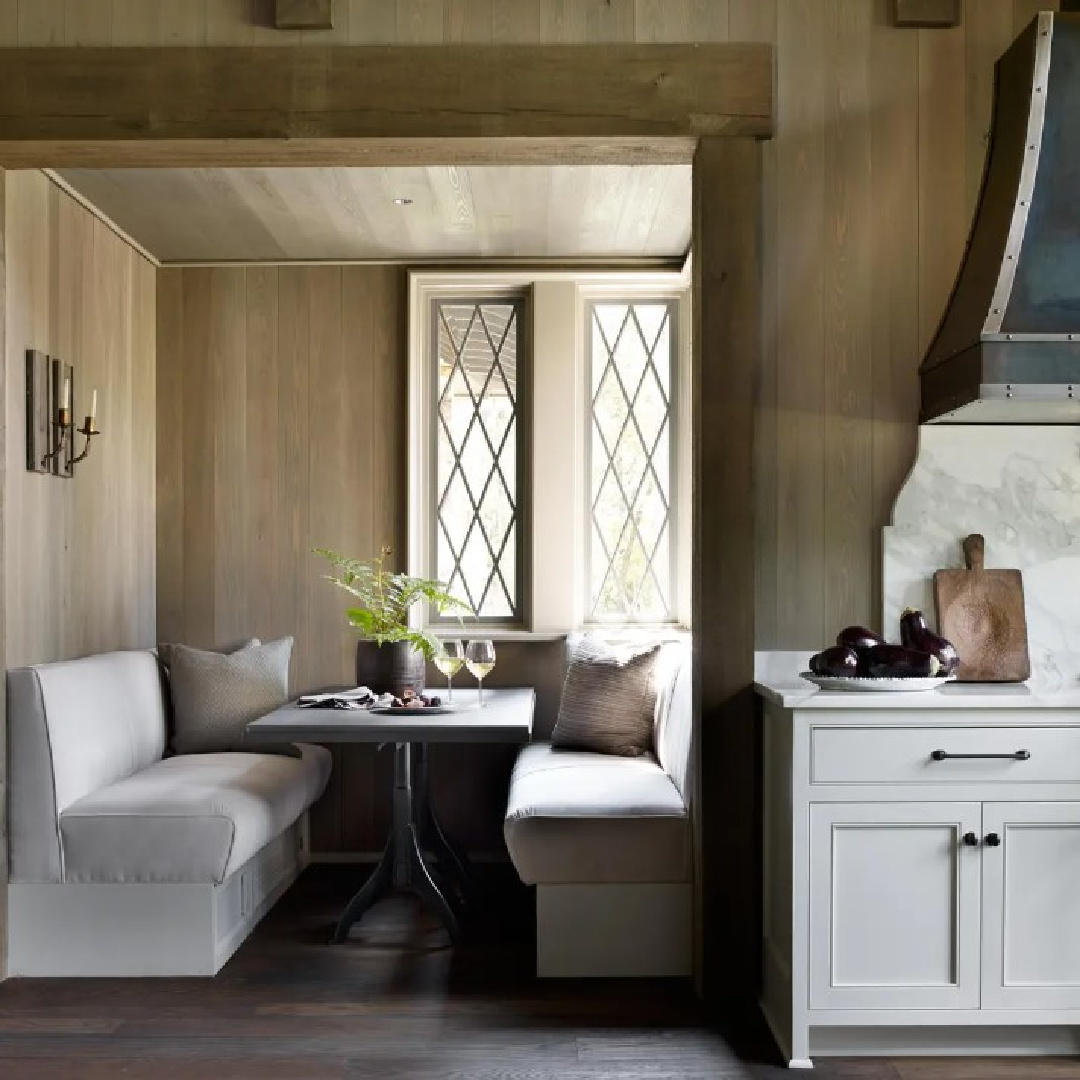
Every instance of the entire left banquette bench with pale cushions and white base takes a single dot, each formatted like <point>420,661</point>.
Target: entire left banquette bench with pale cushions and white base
<point>124,861</point>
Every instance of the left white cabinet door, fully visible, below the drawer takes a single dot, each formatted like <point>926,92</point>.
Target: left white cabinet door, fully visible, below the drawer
<point>895,907</point>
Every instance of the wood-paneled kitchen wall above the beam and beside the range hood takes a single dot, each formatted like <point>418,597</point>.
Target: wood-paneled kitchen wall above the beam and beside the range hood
<point>869,191</point>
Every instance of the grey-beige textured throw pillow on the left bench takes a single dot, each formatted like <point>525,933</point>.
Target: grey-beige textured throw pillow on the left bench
<point>215,696</point>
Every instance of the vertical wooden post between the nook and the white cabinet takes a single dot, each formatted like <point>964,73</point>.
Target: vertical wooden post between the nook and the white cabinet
<point>727,360</point>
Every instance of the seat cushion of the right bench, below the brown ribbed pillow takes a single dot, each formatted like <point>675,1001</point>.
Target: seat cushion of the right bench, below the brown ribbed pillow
<point>583,818</point>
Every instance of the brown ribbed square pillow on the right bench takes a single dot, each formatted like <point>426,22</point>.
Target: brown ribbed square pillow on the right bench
<point>609,700</point>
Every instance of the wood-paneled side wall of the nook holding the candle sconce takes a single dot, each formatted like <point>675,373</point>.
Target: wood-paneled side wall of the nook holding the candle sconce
<point>77,557</point>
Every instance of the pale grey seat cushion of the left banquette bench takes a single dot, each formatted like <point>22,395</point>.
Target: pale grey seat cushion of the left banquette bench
<point>192,819</point>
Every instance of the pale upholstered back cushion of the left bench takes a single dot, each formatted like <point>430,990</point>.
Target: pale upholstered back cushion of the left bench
<point>73,728</point>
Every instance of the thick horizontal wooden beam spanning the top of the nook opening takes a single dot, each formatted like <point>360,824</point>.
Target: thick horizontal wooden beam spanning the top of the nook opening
<point>376,105</point>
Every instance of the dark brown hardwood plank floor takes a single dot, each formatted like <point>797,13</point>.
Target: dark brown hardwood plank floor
<point>396,1004</point>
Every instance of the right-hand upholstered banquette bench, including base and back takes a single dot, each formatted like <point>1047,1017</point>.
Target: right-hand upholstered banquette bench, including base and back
<point>607,843</point>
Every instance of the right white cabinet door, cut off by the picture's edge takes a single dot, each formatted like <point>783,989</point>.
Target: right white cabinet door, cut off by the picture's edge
<point>1032,907</point>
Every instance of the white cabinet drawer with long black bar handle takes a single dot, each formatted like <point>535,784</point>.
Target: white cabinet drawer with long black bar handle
<point>907,755</point>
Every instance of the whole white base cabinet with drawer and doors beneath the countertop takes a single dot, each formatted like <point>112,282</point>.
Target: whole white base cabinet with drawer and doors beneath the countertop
<point>922,875</point>
